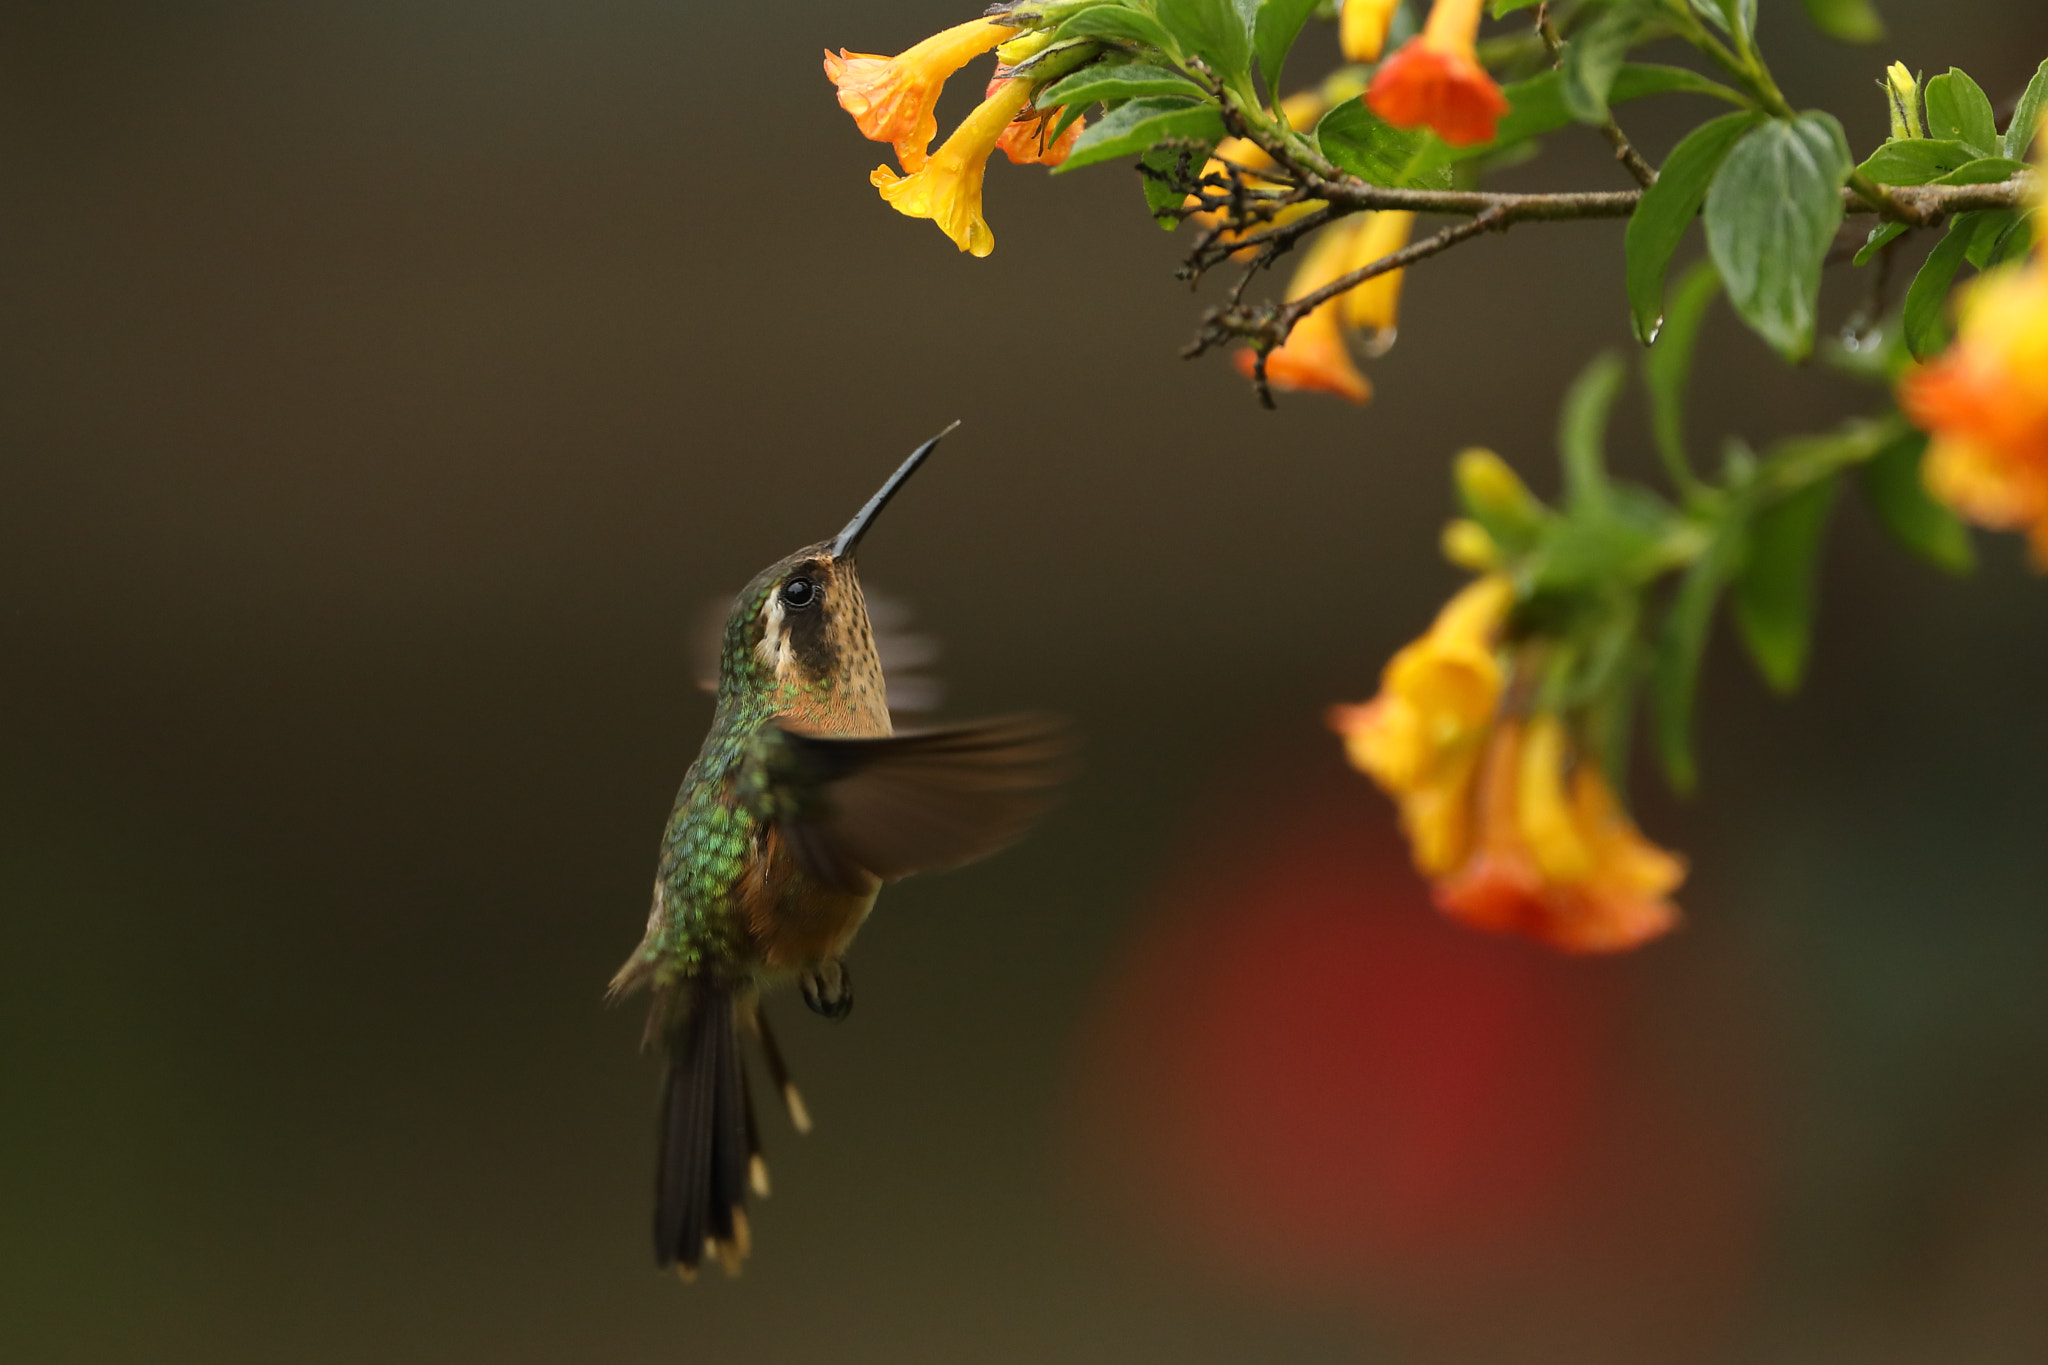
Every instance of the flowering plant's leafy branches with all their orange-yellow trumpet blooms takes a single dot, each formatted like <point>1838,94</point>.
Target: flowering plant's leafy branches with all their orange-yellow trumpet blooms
<point>1502,732</point>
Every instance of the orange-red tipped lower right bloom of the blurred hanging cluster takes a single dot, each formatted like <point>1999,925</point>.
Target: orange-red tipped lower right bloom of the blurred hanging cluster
<point>1558,858</point>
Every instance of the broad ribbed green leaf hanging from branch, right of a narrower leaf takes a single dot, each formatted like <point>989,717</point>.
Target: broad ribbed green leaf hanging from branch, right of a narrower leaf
<point>1770,218</point>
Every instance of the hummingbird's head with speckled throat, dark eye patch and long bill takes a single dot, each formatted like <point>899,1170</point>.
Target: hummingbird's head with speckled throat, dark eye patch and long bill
<point>800,631</point>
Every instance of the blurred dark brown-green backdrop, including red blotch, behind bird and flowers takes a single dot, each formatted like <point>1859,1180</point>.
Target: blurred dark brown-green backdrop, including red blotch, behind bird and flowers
<point>388,386</point>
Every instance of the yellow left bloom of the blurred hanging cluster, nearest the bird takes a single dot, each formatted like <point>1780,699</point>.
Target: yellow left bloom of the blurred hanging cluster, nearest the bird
<point>1422,738</point>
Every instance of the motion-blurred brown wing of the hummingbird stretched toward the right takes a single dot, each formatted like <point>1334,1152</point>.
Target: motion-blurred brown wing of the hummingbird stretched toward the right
<point>857,809</point>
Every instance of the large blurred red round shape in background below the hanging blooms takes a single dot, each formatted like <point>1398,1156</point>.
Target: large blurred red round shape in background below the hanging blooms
<point>1306,1075</point>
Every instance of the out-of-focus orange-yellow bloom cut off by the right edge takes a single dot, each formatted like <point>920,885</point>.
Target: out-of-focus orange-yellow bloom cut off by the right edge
<point>1986,404</point>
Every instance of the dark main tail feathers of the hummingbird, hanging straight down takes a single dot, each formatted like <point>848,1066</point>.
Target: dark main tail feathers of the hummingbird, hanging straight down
<point>706,1143</point>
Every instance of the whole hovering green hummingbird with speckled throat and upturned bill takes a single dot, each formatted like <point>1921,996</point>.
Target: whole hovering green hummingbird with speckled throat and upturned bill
<point>800,807</point>
